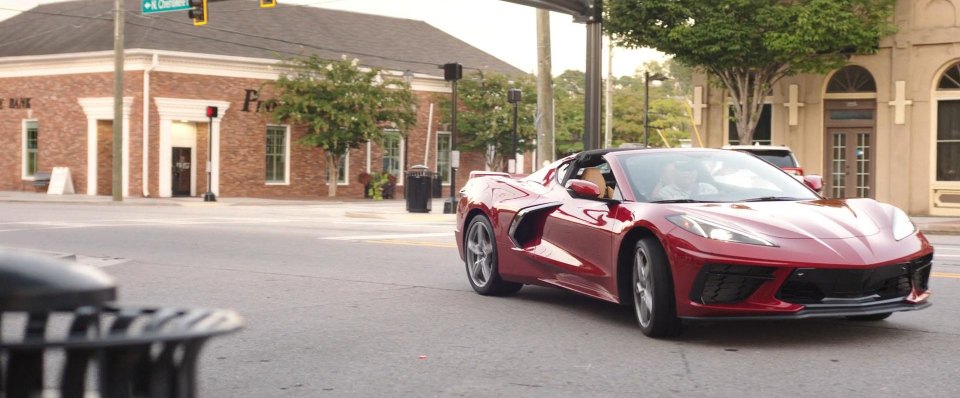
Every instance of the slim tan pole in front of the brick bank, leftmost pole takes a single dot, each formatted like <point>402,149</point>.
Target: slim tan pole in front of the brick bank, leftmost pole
<point>117,180</point>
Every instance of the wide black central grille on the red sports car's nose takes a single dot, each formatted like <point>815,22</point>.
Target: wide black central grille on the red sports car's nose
<point>842,286</point>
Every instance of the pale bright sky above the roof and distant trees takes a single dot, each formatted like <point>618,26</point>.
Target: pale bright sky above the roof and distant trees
<point>503,29</point>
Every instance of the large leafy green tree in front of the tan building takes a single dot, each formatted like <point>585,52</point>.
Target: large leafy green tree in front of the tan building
<point>749,45</point>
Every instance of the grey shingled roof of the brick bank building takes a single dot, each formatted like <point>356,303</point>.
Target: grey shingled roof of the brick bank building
<point>242,29</point>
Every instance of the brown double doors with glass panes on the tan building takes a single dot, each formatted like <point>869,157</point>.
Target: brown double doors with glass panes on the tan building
<point>849,149</point>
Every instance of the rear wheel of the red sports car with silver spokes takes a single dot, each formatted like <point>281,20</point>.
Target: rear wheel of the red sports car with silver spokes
<point>480,250</point>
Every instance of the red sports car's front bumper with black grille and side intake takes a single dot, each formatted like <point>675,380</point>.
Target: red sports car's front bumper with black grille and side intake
<point>715,287</point>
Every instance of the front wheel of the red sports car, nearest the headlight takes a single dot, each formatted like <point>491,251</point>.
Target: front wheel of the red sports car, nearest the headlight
<point>653,299</point>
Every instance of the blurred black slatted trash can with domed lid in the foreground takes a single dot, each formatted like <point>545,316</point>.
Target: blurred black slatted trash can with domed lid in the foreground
<point>57,317</point>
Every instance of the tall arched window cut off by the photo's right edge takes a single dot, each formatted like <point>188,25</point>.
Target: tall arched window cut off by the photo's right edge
<point>948,126</point>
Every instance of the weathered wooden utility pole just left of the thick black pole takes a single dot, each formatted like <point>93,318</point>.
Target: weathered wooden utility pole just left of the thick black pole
<point>545,130</point>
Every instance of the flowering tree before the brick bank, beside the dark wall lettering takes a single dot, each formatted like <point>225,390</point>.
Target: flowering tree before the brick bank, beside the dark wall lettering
<point>341,104</point>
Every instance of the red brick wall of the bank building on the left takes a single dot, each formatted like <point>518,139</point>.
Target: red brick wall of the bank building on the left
<point>63,137</point>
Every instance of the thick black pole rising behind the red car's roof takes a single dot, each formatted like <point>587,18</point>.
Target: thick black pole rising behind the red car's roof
<point>591,114</point>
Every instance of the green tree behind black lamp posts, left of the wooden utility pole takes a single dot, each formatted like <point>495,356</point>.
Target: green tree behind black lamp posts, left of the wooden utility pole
<point>485,118</point>
